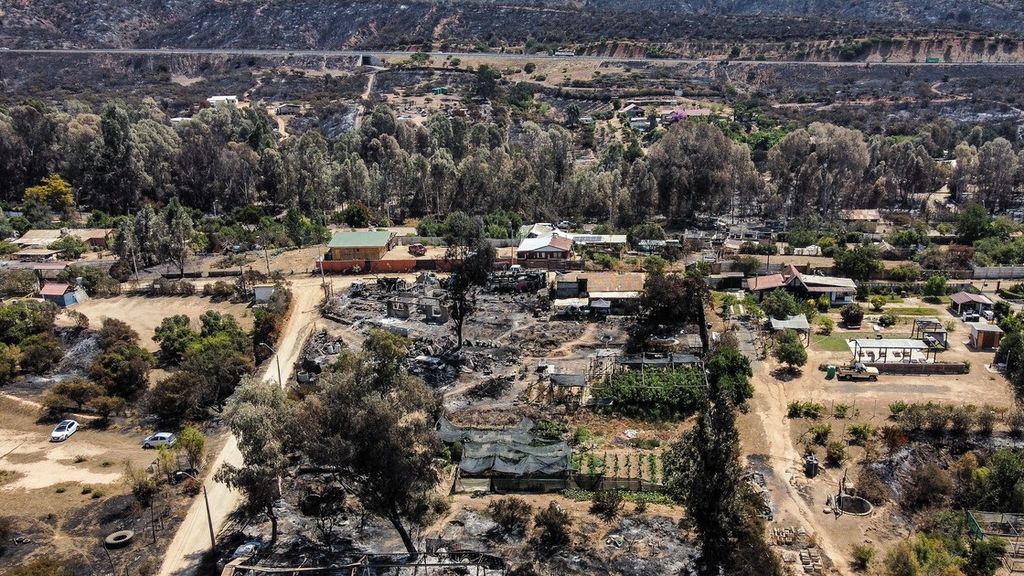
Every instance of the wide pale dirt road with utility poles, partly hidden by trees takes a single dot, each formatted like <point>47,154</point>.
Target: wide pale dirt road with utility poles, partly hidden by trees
<point>193,539</point>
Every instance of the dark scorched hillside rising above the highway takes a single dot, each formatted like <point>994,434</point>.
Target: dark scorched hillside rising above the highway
<point>367,24</point>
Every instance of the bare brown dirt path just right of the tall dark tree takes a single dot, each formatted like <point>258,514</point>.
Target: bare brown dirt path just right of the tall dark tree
<point>771,405</point>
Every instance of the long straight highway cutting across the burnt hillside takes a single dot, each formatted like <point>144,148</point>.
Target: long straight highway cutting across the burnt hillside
<point>277,53</point>
